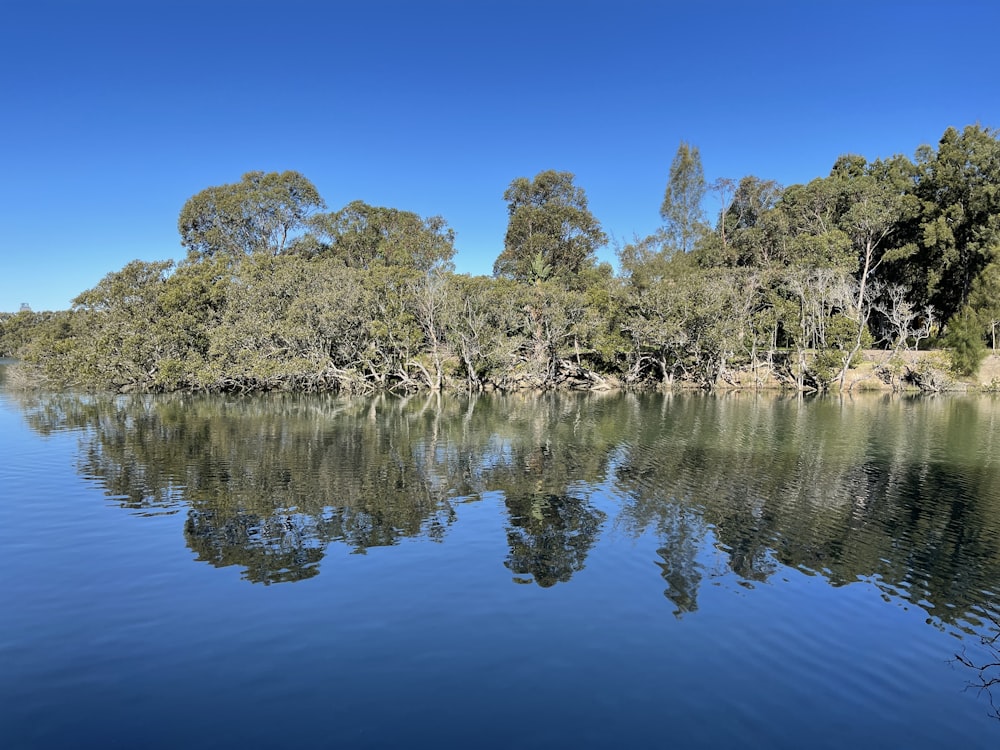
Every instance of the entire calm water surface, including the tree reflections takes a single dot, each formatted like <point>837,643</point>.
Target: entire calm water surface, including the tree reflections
<point>529,572</point>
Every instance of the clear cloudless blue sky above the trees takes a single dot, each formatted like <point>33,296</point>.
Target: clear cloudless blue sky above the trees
<point>115,113</point>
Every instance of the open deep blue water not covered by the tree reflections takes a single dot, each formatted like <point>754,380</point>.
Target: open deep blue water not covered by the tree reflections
<point>115,633</point>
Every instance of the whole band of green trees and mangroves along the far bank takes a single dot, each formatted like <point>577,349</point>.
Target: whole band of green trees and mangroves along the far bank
<point>784,285</point>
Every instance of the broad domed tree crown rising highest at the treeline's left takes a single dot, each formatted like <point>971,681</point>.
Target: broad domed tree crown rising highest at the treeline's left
<point>259,214</point>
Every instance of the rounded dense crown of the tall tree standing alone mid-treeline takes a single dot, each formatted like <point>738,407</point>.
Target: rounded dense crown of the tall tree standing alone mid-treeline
<point>550,230</point>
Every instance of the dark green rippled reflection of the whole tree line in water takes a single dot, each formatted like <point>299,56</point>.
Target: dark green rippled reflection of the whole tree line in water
<point>902,494</point>
